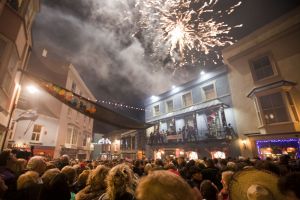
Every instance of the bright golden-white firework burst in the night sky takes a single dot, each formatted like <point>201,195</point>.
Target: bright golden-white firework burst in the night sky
<point>184,29</point>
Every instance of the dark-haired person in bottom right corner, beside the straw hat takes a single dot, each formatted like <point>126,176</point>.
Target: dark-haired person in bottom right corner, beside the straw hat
<point>289,186</point>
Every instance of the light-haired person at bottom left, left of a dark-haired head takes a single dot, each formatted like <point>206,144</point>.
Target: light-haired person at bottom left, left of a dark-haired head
<point>28,186</point>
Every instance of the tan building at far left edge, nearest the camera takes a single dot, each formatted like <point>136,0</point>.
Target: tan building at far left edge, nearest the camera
<point>16,18</point>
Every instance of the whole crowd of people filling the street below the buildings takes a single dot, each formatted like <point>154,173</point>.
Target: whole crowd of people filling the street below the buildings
<point>170,179</point>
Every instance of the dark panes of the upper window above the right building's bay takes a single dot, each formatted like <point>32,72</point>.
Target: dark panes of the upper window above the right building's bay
<point>262,68</point>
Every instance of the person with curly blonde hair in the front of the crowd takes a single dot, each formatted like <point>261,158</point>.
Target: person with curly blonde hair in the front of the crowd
<point>120,184</point>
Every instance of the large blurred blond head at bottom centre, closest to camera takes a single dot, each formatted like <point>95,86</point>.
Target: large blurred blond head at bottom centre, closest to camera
<point>163,185</point>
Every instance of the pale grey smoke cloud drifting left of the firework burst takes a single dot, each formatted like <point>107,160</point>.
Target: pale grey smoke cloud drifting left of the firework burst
<point>98,42</point>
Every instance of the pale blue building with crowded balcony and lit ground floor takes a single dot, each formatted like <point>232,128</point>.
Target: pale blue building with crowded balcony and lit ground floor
<point>195,118</point>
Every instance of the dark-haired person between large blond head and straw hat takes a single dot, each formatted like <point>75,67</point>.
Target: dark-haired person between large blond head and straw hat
<point>208,190</point>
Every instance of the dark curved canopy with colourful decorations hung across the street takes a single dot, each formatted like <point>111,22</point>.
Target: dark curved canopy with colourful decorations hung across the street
<point>88,107</point>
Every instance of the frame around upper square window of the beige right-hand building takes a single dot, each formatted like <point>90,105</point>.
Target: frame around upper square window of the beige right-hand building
<point>272,62</point>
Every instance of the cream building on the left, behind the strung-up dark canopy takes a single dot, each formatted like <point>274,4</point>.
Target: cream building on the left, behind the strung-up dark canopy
<point>56,129</point>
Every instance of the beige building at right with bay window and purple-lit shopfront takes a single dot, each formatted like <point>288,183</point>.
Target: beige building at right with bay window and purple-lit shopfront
<point>264,76</point>
